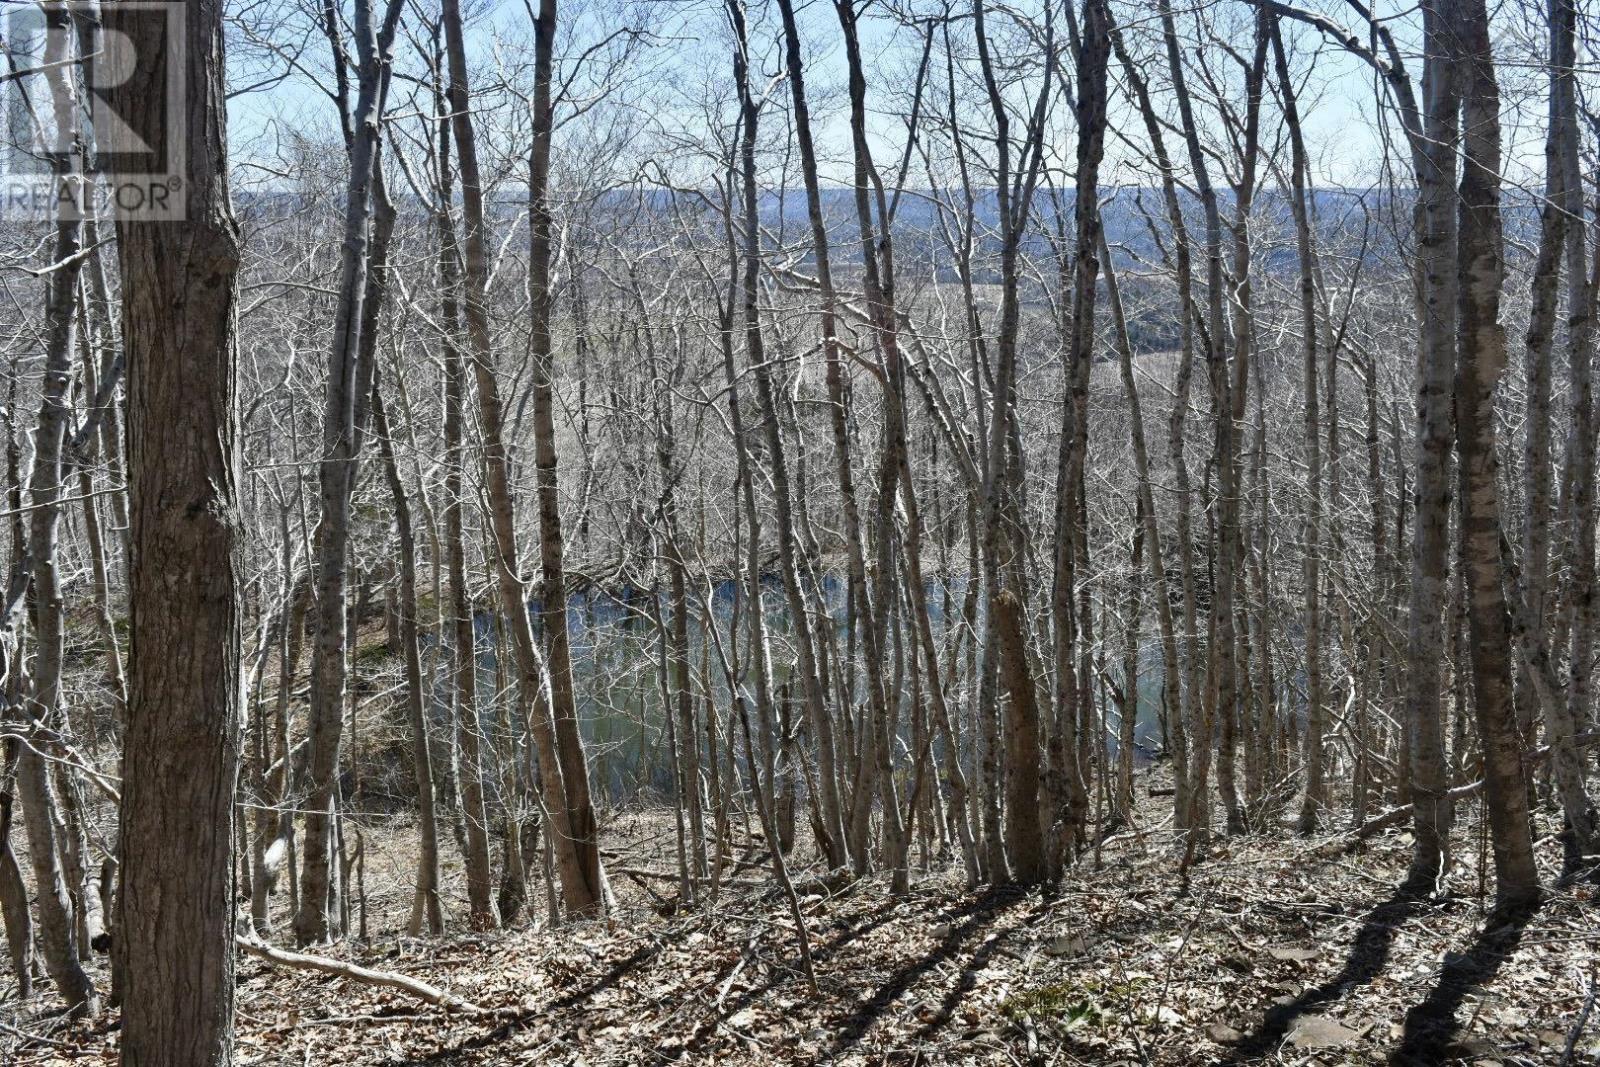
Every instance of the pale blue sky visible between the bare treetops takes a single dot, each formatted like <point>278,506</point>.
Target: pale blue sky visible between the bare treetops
<point>687,66</point>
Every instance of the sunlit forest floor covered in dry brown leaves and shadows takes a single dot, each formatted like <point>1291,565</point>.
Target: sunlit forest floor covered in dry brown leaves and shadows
<point>1281,951</point>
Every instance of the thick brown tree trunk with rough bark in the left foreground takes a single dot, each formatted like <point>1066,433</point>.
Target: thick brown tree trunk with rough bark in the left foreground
<point>175,932</point>
